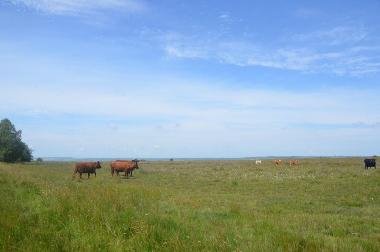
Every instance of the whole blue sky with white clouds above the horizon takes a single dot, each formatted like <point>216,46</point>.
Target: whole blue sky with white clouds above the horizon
<point>171,78</point>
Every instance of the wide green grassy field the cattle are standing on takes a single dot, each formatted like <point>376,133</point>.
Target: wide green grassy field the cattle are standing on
<point>322,205</point>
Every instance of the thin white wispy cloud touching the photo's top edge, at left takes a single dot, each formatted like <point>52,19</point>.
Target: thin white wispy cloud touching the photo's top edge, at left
<point>79,7</point>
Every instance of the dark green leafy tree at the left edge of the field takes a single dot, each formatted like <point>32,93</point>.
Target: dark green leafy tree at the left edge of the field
<point>12,148</point>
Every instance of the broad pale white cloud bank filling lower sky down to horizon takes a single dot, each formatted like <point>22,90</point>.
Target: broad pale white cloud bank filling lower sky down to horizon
<point>190,118</point>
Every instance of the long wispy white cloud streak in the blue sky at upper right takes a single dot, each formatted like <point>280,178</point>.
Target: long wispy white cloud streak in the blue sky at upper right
<point>340,50</point>
